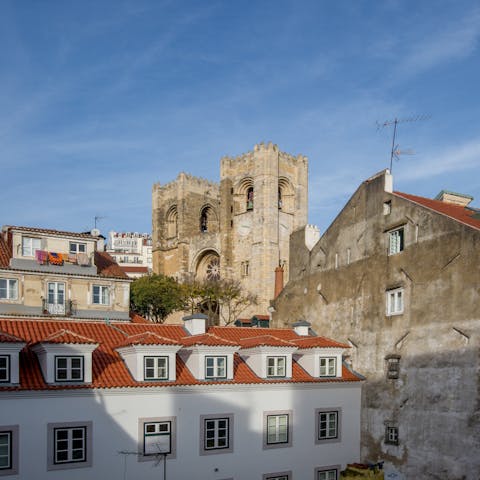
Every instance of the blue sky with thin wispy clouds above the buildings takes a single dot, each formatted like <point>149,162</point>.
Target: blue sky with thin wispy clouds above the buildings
<point>100,99</point>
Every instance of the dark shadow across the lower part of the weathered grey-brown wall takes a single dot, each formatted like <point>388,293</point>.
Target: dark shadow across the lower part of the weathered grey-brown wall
<point>426,422</point>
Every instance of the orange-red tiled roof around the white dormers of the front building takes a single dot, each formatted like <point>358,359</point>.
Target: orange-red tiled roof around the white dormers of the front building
<point>109,371</point>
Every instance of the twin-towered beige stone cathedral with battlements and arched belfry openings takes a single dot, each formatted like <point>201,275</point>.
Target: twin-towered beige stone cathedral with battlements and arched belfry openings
<point>237,229</point>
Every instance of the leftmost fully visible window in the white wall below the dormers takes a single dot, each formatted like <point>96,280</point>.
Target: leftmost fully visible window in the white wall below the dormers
<point>70,445</point>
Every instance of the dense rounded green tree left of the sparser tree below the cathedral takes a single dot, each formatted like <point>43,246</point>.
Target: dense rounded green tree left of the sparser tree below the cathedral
<point>156,296</point>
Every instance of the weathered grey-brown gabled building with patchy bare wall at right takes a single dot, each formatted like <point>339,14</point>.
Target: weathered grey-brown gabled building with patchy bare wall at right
<point>399,281</point>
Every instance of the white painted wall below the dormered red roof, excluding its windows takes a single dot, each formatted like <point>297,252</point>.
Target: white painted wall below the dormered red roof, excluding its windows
<point>115,413</point>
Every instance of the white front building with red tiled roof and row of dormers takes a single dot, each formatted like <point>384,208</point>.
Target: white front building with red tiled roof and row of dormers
<point>104,400</point>
